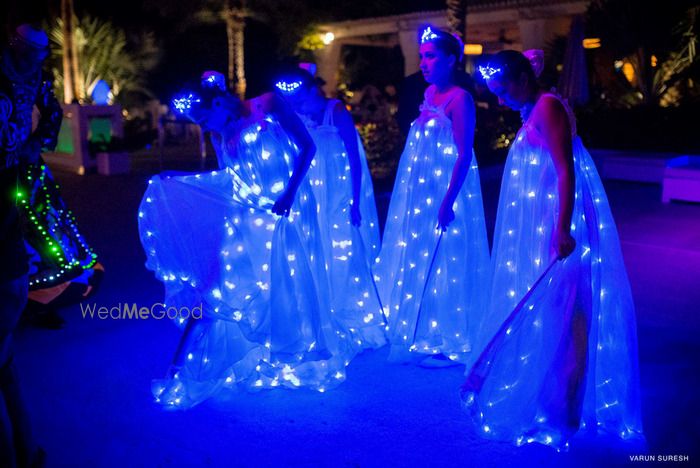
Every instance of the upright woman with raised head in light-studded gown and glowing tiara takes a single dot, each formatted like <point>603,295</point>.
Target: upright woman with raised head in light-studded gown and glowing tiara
<point>432,280</point>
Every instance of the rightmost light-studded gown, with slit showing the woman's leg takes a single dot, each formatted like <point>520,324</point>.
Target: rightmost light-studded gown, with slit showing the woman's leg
<point>567,358</point>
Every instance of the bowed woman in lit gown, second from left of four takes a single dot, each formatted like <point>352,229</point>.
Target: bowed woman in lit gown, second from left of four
<point>347,213</point>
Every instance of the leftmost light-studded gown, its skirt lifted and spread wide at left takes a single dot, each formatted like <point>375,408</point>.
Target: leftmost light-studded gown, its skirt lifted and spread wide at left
<point>212,239</point>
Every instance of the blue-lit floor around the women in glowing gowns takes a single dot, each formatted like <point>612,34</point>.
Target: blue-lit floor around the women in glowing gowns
<point>88,384</point>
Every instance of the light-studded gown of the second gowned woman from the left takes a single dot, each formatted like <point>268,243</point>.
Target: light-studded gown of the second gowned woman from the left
<point>349,251</point>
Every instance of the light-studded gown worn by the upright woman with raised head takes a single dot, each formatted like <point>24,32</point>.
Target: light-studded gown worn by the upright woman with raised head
<point>434,294</point>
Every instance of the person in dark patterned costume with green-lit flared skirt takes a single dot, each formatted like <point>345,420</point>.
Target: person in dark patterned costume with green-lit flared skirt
<point>62,267</point>
